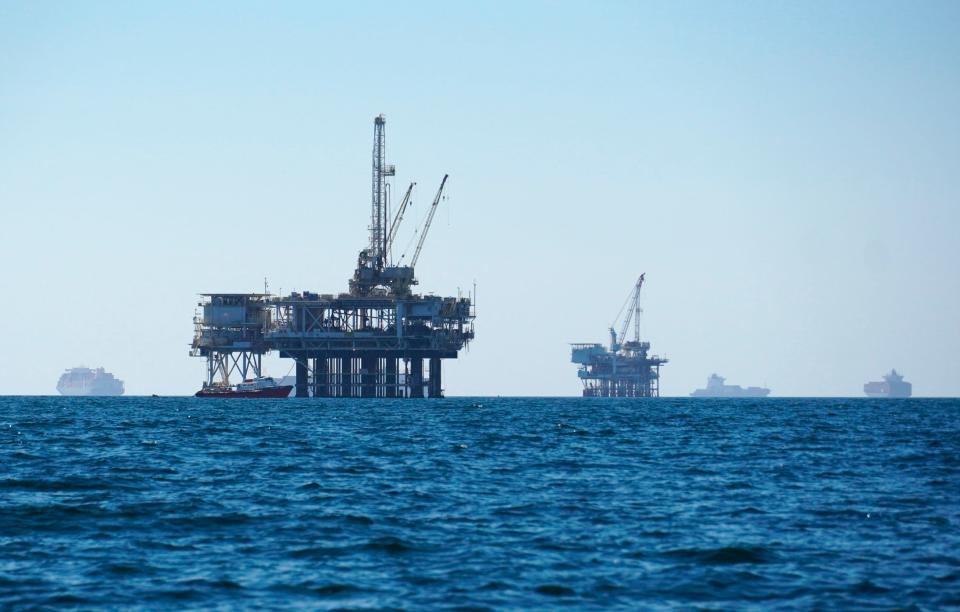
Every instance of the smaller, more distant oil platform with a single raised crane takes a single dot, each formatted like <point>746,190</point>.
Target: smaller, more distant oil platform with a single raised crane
<point>625,369</point>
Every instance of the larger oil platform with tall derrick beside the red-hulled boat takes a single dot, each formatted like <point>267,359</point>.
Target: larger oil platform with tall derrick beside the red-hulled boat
<point>379,340</point>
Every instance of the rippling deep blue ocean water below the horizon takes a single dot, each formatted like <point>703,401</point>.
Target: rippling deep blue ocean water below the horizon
<point>479,503</point>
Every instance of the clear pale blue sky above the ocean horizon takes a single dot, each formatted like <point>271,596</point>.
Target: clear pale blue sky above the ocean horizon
<point>787,175</point>
